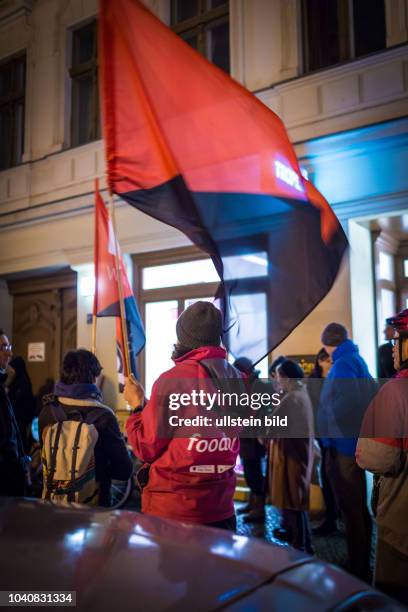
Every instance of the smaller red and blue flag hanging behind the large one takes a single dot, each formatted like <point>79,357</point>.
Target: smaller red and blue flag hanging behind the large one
<point>106,299</point>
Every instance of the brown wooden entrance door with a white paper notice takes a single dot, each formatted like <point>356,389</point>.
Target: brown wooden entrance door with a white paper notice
<point>44,323</point>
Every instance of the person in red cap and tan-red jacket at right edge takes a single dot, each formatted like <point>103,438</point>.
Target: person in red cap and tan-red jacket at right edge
<point>383,449</point>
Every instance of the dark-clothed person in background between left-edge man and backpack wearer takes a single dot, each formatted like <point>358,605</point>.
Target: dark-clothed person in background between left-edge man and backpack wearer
<point>21,396</point>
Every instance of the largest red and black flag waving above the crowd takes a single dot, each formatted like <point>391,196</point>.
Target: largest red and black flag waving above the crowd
<point>189,146</point>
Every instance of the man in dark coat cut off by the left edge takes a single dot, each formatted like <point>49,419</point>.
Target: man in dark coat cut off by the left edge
<point>12,460</point>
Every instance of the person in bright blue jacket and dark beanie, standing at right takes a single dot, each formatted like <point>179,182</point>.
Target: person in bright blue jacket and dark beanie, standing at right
<point>346,394</point>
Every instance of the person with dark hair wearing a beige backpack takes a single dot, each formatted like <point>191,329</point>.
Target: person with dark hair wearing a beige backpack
<point>83,449</point>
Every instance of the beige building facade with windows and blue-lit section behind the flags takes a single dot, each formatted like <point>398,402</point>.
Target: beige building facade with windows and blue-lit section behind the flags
<point>337,77</point>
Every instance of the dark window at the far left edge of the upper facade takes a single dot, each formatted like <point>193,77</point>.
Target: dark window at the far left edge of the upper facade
<point>11,102</point>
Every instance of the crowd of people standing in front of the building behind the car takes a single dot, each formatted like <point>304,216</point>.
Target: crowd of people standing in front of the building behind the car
<point>339,409</point>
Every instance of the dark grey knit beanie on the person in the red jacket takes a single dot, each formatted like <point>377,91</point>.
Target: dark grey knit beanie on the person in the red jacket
<point>199,325</point>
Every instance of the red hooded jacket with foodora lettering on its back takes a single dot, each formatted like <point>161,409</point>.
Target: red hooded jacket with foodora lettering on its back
<point>189,479</point>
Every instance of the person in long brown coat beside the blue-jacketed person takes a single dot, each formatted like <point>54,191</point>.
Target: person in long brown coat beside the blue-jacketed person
<point>291,459</point>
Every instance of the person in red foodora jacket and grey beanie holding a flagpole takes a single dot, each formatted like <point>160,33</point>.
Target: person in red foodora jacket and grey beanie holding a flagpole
<point>188,478</point>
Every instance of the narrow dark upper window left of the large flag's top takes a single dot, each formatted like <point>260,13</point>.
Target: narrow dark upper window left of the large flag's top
<point>78,71</point>
